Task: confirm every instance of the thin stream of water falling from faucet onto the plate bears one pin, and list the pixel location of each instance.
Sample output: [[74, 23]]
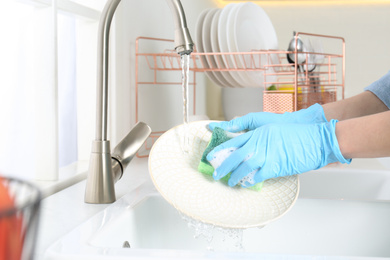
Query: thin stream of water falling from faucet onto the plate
[[185, 64]]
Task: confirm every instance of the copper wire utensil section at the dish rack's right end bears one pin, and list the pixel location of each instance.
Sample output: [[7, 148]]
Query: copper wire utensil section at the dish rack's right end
[[297, 88]]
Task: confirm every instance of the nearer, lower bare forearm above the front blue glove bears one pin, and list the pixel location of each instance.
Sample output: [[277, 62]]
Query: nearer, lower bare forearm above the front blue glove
[[365, 137]]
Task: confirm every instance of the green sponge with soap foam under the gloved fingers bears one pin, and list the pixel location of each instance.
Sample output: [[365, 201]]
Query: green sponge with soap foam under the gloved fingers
[[218, 137]]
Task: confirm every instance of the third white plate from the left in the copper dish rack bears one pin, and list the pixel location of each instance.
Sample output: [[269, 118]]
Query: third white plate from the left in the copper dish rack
[[231, 82]]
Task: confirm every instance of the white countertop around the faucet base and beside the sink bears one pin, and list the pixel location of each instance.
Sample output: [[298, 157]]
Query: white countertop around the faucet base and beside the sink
[[64, 210]]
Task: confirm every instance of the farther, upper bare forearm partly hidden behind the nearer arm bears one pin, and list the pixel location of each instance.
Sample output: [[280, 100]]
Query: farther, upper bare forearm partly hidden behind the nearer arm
[[363, 104]]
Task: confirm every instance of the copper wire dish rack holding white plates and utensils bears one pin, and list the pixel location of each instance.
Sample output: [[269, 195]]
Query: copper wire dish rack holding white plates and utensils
[[294, 87]]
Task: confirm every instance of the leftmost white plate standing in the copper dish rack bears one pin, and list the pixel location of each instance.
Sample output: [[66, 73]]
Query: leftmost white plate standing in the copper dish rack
[[199, 43]]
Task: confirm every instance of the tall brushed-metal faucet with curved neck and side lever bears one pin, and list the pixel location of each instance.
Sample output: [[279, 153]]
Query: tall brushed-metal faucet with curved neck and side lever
[[105, 168]]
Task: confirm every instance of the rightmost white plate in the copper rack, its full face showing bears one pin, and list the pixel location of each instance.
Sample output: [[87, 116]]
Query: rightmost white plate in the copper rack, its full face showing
[[253, 30]]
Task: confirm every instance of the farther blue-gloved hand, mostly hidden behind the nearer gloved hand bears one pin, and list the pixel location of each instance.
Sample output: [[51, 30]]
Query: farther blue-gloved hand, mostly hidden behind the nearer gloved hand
[[251, 121]]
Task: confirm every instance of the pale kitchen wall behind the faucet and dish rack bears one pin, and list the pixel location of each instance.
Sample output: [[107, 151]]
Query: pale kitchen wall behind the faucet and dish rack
[[365, 28]]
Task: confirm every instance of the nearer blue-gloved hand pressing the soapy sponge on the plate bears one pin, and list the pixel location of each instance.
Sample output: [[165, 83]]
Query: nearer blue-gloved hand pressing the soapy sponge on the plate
[[277, 150]]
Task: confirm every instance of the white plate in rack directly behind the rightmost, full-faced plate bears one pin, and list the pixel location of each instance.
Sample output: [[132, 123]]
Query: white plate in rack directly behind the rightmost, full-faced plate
[[223, 42]]
